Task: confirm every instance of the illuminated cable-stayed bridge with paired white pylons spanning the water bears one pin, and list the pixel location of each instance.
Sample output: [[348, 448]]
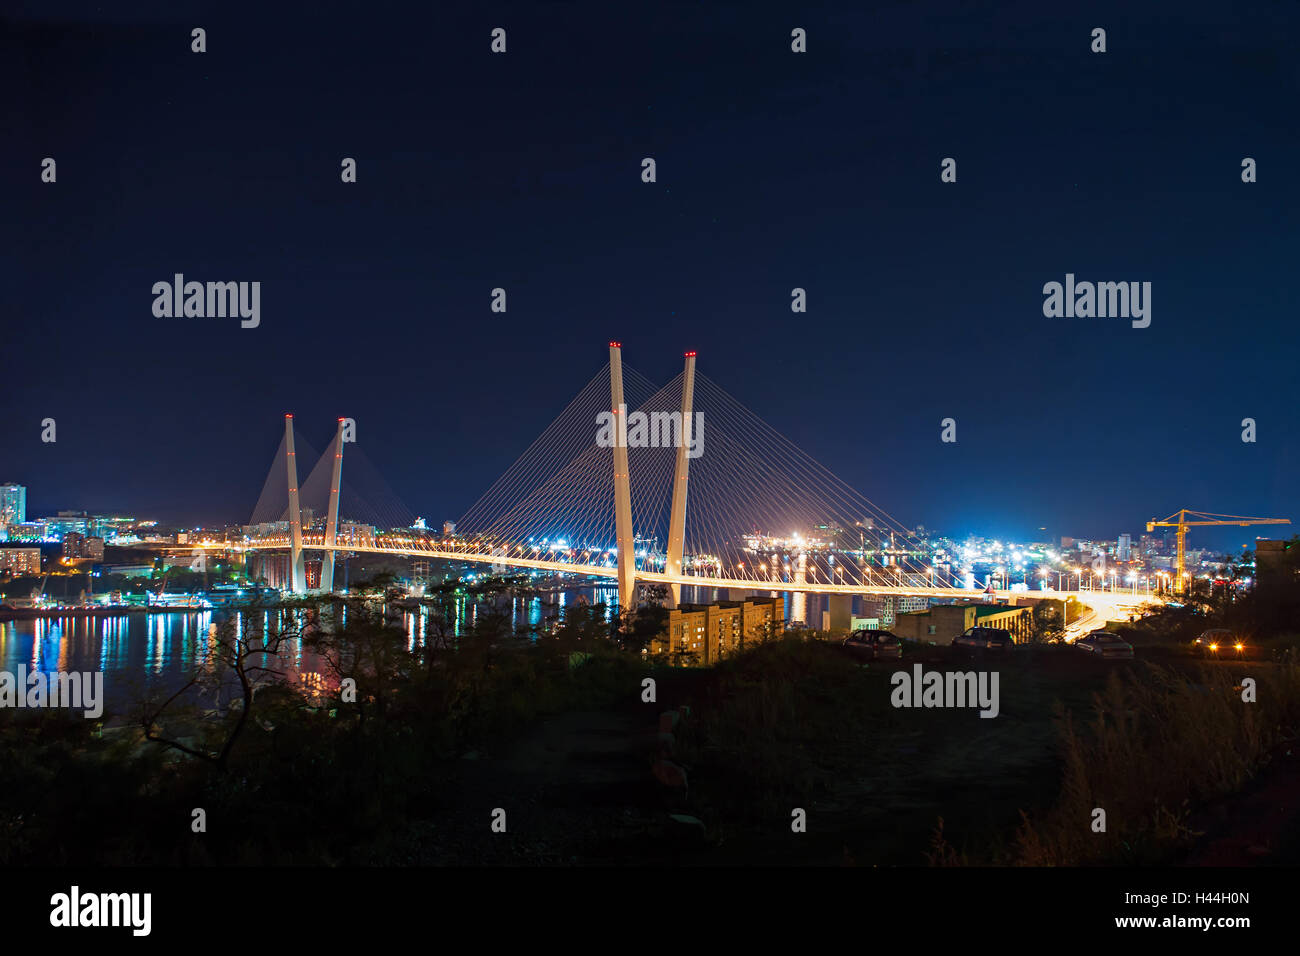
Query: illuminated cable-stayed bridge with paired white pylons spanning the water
[[678, 486]]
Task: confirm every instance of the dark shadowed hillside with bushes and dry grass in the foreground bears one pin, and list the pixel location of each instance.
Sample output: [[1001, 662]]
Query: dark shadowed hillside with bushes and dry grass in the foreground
[[553, 728]]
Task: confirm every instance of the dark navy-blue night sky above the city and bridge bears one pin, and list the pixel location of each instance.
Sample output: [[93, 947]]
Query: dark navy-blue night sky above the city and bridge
[[775, 171]]
